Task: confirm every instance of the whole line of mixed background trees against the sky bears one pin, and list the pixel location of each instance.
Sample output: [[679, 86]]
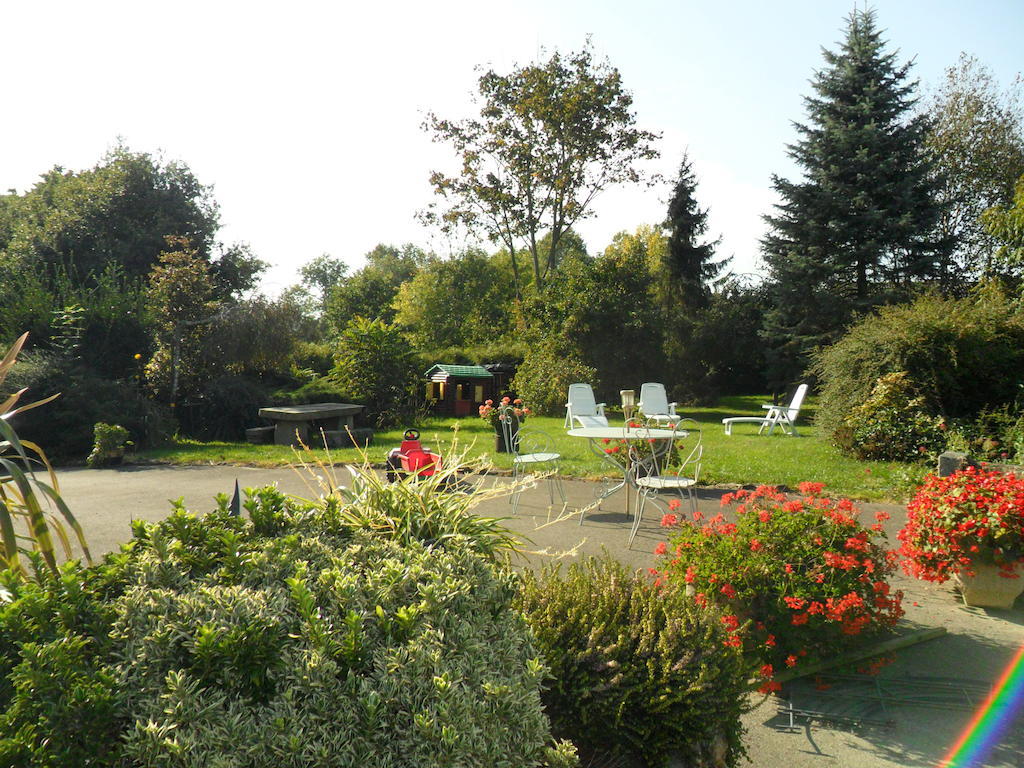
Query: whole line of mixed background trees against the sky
[[118, 274]]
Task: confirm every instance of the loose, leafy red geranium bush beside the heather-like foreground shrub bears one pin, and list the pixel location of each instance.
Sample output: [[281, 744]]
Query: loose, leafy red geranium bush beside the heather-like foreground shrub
[[800, 580]]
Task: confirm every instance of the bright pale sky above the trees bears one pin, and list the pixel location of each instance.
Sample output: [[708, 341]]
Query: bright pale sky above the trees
[[306, 117]]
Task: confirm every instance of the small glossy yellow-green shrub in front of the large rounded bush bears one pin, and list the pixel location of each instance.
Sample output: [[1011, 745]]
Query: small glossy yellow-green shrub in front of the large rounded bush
[[892, 424]]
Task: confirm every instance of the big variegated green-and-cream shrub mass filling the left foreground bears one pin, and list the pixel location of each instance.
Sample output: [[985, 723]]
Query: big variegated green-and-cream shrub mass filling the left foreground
[[292, 639]]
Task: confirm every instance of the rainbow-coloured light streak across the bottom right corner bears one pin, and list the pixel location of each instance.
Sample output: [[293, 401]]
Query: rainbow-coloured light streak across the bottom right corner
[[992, 720]]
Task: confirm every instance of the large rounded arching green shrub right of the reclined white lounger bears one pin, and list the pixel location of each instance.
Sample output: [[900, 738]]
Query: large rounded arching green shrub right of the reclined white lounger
[[961, 355]]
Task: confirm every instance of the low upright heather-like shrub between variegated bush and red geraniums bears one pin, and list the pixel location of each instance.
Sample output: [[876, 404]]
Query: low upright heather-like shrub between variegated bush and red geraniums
[[633, 668]]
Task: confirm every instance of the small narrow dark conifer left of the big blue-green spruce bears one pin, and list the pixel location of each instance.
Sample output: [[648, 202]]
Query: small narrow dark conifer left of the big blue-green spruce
[[690, 265]]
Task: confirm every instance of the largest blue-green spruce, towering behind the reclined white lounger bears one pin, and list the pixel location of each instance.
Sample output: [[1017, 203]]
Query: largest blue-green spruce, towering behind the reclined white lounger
[[856, 232]]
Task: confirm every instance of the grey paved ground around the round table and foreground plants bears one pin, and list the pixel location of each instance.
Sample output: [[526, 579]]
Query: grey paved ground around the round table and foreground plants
[[978, 646]]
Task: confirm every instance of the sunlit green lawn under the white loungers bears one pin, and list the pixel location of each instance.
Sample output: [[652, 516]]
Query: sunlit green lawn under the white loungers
[[744, 458]]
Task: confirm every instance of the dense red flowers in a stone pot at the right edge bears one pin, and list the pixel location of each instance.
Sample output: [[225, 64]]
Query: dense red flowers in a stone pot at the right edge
[[970, 528]]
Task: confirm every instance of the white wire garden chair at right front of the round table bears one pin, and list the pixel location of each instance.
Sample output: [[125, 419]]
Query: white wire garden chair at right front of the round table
[[653, 474]]
